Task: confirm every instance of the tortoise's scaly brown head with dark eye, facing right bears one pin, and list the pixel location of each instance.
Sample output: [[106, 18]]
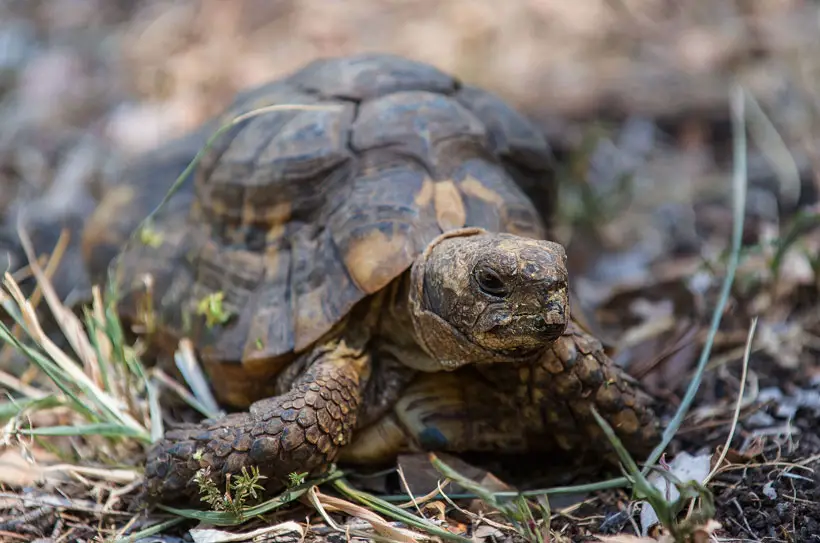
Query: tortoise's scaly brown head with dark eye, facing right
[[479, 297]]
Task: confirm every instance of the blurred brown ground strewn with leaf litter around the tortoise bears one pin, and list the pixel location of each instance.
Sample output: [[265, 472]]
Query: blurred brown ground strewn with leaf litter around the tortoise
[[633, 96]]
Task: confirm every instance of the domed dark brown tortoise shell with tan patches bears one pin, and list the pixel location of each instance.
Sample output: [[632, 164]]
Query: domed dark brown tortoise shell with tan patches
[[294, 216]]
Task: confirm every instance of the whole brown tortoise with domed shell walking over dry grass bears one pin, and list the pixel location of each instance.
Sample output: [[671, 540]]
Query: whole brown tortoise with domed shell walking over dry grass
[[386, 278]]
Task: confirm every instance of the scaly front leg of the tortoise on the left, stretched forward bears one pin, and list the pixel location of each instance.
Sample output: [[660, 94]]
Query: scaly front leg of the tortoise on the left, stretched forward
[[300, 431]]
